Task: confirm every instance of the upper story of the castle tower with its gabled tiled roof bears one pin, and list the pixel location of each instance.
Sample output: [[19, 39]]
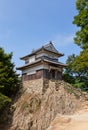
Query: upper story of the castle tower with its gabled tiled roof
[[47, 51]]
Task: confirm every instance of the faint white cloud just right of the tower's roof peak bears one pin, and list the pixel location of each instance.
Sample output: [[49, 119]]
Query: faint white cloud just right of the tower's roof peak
[[62, 40]]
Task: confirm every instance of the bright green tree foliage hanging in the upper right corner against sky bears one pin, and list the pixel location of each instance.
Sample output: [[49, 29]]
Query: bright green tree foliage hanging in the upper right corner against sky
[[81, 20]]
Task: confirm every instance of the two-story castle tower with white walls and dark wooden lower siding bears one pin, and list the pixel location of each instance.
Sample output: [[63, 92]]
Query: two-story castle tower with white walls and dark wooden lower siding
[[42, 63]]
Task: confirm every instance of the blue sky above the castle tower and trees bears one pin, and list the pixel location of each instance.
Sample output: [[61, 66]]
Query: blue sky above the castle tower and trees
[[28, 24]]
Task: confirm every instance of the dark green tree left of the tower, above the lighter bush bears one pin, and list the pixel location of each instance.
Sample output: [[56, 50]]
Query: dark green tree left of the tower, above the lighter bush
[[8, 77]]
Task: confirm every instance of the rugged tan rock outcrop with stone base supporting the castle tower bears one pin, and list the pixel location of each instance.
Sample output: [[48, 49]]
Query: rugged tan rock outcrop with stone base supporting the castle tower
[[38, 106]]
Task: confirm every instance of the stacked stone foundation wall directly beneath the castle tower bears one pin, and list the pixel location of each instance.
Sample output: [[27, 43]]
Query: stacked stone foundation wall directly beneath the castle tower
[[37, 86]]
